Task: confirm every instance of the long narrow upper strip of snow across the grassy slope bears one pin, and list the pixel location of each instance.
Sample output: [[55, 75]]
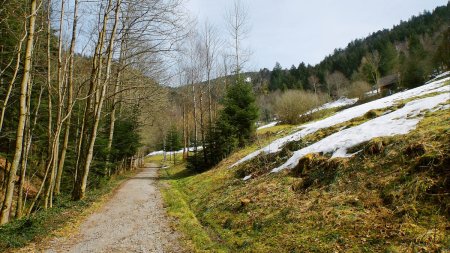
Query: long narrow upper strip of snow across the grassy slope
[[348, 114]]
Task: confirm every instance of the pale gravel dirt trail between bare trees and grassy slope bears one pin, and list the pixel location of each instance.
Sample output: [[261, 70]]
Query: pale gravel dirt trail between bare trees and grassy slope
[[133, 220]]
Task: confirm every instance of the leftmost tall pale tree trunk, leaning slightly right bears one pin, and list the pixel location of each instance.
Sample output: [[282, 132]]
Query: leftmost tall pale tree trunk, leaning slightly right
[[23, 110]]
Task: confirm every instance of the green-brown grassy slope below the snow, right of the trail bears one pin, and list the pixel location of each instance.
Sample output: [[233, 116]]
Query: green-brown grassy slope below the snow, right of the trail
[[391, 197]]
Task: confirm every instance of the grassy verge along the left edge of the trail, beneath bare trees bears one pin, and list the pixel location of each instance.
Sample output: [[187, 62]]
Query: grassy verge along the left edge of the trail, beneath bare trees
[[45, 223]]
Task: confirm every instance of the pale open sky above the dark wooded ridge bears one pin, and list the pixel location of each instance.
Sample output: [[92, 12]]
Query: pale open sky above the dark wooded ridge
[[292, 31]]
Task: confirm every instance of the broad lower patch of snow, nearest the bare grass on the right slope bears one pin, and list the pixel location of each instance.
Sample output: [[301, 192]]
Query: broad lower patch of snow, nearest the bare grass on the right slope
[[400, 121]]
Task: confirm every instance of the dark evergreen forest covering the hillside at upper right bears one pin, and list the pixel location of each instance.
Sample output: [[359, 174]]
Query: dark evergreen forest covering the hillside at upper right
[[415, 50]]
